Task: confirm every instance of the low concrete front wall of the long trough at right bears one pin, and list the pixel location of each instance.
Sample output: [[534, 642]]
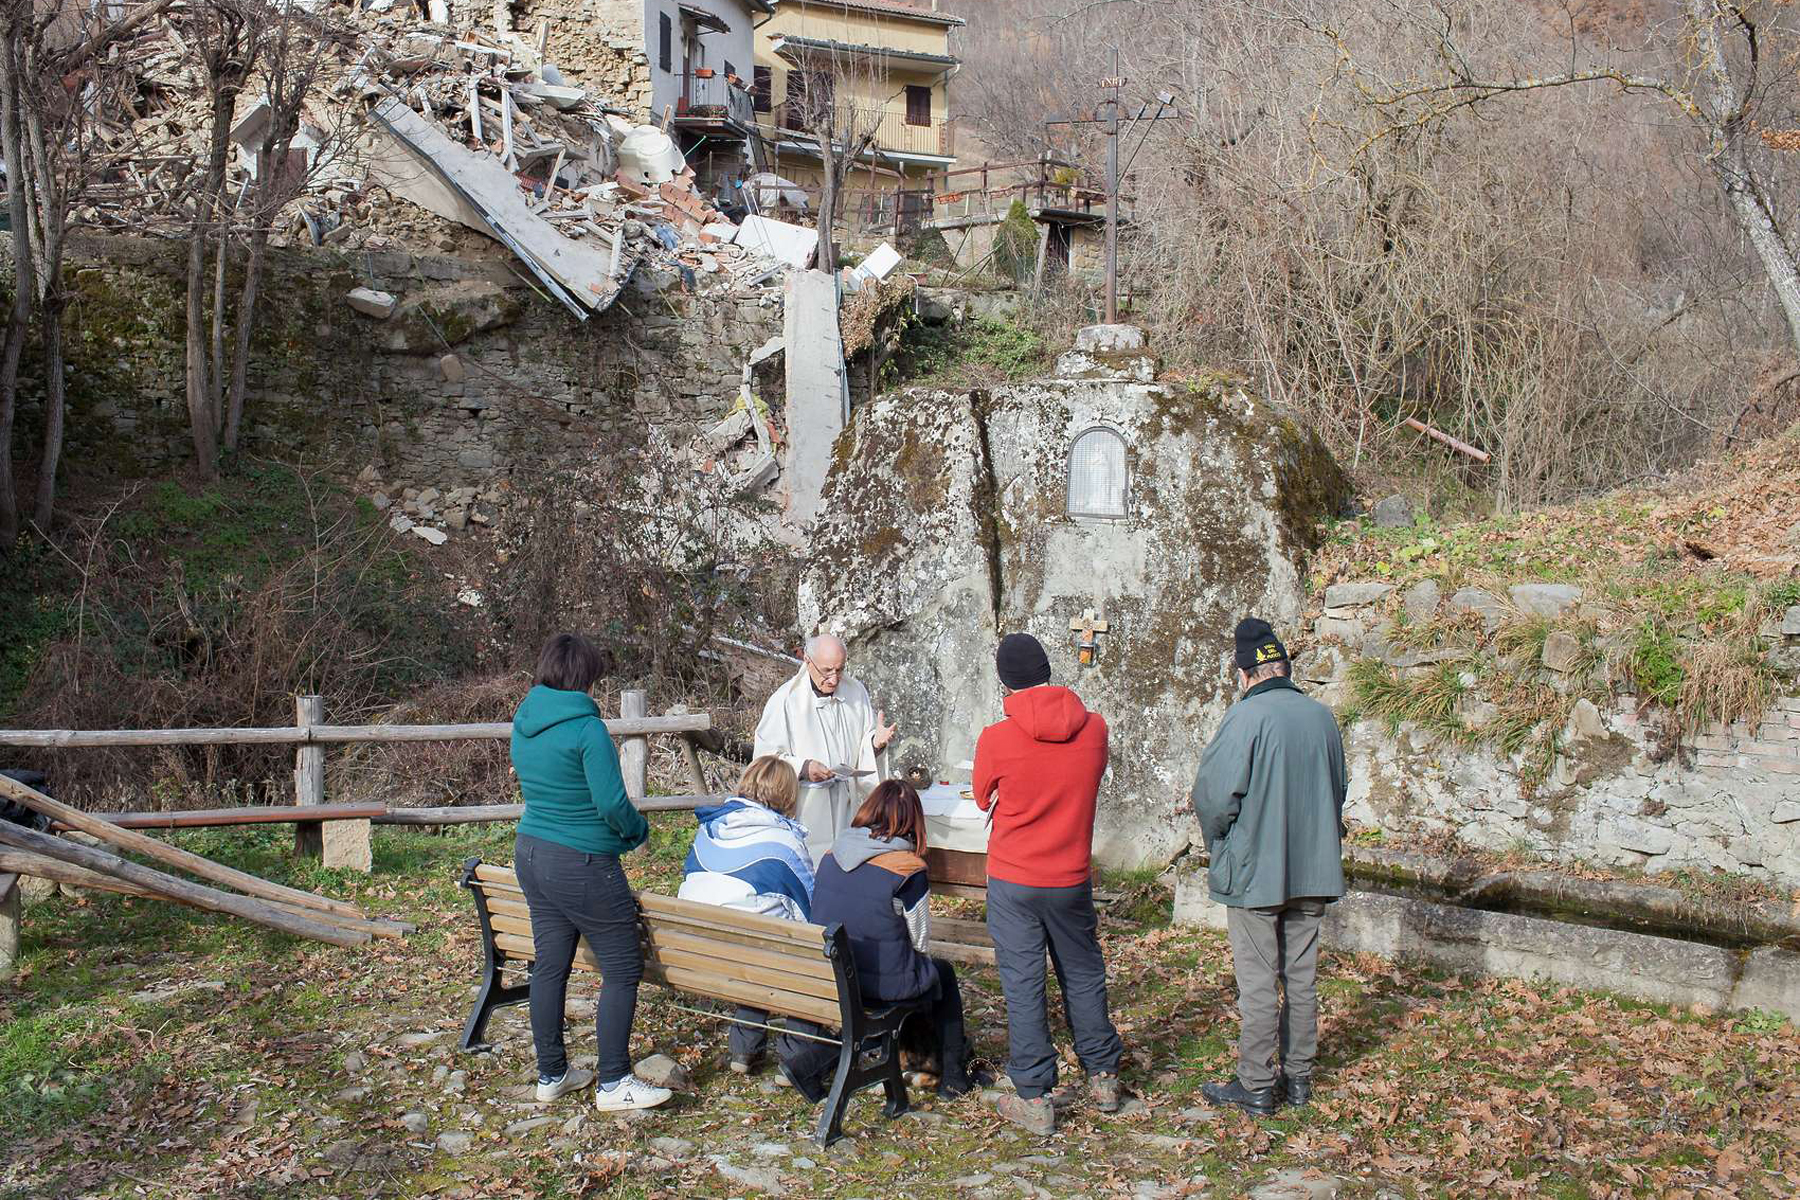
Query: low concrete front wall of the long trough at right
[[1646, 967]]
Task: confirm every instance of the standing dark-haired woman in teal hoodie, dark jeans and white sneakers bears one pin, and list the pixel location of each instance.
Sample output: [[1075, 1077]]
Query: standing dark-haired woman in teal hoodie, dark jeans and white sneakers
[[577, 825]]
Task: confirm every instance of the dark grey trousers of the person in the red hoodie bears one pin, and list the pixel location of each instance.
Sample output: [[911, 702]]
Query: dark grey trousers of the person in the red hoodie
[[1025, 922]]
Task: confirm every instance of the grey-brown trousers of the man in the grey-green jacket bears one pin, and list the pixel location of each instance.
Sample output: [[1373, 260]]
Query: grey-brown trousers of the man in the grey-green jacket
[[1277, 947]]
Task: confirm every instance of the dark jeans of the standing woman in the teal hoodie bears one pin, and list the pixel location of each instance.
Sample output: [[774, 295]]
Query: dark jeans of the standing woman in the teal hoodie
[[577, 895]]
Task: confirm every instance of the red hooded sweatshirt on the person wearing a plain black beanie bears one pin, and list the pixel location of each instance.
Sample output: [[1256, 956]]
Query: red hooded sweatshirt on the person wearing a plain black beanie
[[1041, 773]]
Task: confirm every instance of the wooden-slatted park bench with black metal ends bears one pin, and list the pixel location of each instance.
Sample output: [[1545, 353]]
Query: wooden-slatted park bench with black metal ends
[[782, 967]]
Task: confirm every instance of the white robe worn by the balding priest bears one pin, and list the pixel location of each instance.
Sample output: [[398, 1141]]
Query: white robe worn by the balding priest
[[836, 731]]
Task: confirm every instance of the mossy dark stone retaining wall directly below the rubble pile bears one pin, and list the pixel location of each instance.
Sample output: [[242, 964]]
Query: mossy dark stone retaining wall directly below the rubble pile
[[474, 381]]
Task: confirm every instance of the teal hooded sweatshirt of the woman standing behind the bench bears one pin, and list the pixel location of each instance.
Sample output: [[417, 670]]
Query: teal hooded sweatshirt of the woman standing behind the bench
[[570, 776]]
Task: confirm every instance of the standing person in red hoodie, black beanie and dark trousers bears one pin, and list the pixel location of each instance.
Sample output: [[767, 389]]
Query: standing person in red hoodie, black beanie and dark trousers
[[1038, 775]]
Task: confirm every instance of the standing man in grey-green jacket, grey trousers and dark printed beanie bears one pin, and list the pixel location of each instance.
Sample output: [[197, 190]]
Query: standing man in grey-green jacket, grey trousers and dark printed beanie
[[1270, 796]]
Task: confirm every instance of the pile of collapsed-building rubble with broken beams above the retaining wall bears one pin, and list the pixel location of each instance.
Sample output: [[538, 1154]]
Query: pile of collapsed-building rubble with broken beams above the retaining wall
[[476, 129]]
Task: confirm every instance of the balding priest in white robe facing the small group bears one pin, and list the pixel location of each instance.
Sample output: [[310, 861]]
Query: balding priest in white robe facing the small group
[[822, 722]]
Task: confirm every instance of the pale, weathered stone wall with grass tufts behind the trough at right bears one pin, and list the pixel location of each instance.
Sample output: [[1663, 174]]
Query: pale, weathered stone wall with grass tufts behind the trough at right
[[1617, 794]]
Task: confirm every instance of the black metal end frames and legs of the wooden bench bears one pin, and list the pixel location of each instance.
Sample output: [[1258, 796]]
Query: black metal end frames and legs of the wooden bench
[[861, 1028]]
